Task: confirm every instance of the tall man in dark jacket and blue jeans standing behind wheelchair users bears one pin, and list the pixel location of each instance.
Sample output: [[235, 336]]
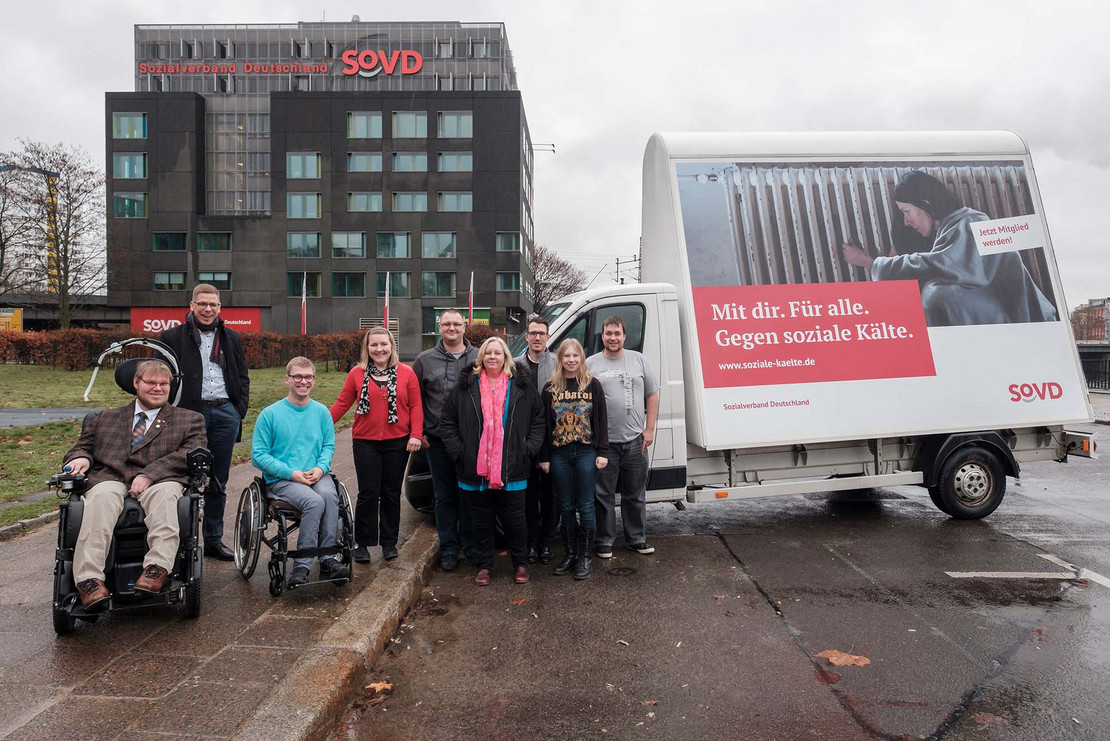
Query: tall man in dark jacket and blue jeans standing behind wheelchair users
[[215, 383]]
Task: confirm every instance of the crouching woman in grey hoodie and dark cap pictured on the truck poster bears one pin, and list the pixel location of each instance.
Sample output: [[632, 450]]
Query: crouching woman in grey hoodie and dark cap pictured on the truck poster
[[960, 287]]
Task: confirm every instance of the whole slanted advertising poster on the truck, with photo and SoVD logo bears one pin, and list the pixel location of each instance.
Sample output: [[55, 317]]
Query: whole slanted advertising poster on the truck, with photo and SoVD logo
[[835, 300]]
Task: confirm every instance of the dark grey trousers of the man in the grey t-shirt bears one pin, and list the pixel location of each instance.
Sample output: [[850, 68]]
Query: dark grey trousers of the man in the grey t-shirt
[[627, 473]]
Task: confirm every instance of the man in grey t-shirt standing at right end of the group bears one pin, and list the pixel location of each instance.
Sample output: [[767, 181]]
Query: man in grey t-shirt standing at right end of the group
[[632, 404]]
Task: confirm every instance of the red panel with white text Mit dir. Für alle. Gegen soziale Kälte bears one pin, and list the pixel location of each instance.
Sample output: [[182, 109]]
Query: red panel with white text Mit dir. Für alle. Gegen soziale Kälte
[[806, 333]]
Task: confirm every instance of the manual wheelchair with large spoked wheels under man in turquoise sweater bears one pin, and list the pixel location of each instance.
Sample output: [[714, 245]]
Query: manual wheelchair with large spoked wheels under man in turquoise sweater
[[257, 513]]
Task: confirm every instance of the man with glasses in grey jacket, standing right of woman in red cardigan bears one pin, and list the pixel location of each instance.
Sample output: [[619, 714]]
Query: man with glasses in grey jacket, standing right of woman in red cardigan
[[438, 372]]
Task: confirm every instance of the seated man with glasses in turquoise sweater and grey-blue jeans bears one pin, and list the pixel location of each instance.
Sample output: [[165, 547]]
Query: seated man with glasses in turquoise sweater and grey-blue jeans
[[294, 443]]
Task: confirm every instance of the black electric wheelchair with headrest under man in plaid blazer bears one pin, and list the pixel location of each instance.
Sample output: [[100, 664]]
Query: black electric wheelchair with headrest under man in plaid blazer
[[125, 562]]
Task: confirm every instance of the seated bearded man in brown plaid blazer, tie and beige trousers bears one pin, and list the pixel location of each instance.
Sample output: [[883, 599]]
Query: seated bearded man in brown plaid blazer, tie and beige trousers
[[138, 450]]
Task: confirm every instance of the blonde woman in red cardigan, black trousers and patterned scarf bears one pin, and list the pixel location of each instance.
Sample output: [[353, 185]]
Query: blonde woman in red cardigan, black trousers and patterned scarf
[[389, 424]]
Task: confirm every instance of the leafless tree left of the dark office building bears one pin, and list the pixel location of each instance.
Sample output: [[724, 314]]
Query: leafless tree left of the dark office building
[[64, 224]]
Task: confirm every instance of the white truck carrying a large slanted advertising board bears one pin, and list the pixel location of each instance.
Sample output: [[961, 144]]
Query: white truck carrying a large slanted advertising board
[[941, 354]]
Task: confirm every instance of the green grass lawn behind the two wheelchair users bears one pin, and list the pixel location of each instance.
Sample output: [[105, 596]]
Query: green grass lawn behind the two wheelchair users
[[32, 455]]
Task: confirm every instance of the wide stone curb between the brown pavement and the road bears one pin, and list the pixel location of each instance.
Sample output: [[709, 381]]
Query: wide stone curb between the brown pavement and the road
[[309, 701]]
